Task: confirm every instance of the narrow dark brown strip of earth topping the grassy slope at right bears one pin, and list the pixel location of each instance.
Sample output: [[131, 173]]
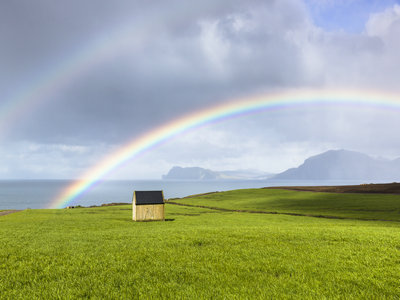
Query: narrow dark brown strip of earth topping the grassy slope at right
[[384, 188]]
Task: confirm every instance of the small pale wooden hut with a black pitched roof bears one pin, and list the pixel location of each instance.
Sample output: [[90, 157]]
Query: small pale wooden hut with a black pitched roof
[[148, 206]]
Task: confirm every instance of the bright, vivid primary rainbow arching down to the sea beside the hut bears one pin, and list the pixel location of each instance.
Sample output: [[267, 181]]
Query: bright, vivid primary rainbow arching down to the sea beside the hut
[[270, 101]]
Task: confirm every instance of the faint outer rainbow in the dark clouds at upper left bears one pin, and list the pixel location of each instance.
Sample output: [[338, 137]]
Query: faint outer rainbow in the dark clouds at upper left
[[60, 74]]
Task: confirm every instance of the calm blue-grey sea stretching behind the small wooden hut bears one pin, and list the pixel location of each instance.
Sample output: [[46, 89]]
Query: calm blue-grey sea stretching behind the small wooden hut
[[37, 194]]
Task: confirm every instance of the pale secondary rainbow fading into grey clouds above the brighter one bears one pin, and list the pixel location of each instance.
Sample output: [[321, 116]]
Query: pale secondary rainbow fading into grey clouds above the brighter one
[[126, 37]]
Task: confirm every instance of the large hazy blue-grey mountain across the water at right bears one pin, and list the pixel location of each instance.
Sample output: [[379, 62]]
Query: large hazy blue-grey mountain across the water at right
[[344, 165]]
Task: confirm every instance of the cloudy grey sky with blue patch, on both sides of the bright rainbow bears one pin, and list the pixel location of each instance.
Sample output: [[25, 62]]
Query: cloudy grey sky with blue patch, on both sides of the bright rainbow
[[81, 79]]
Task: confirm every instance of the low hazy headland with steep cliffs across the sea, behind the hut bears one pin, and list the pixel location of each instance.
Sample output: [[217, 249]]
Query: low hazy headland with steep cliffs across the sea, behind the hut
[[196, 173]]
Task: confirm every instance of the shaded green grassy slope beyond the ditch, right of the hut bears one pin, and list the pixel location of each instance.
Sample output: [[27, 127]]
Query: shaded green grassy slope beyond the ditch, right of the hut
[[363, 206]]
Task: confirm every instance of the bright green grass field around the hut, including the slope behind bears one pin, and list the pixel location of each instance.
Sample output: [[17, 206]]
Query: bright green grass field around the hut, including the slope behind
[[204, 253]]
